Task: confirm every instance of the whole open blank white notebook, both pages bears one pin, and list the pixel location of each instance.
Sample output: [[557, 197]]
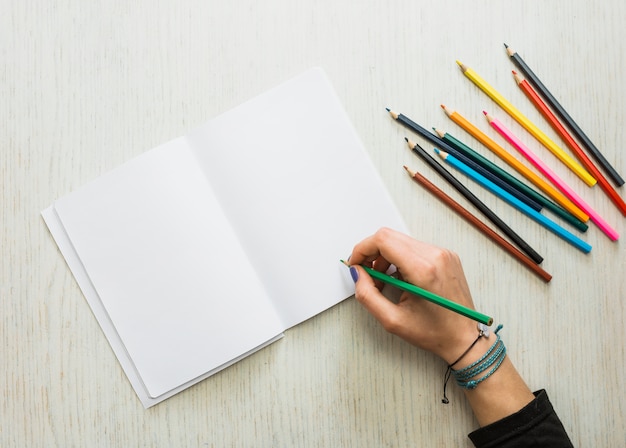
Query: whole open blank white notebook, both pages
[[206, 248]]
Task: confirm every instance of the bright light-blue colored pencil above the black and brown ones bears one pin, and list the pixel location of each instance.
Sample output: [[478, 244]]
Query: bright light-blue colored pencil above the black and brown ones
[[512, 200]]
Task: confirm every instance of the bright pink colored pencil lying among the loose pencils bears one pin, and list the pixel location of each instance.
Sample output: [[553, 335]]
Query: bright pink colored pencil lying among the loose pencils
[[552, 176]]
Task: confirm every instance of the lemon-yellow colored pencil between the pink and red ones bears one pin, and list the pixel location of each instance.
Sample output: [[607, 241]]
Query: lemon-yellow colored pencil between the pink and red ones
[[528, 125]]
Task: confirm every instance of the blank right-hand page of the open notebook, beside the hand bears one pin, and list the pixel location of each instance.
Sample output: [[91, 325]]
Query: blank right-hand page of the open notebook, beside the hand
[[299, 189]]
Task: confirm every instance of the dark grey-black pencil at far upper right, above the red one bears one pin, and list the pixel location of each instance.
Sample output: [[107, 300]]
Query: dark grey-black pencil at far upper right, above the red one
[[561, 112]]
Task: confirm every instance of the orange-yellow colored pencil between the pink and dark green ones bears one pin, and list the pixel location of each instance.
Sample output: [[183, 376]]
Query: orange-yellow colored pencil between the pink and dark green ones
[[546, 187]]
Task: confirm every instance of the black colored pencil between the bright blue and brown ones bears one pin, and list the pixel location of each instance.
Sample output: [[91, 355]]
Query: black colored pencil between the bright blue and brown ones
[[495, 219]]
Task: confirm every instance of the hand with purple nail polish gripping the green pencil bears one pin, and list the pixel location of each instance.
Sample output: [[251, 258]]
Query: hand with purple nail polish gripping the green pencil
[[422, 323]]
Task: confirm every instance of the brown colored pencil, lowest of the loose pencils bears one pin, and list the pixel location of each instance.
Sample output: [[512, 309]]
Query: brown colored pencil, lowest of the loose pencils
[[478, 224]]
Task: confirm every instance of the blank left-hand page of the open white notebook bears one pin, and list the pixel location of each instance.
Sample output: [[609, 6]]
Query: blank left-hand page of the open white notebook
[[159, 263]]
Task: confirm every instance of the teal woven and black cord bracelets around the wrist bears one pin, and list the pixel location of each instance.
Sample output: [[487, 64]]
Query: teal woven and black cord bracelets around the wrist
[[489, 363]]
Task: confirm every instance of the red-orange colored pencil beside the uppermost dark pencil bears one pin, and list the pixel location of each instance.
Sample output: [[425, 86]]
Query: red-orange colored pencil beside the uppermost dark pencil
[[569, 140]]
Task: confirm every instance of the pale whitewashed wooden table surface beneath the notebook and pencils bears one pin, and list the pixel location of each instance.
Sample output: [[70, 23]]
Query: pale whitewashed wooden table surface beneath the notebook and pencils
[[85, 86]]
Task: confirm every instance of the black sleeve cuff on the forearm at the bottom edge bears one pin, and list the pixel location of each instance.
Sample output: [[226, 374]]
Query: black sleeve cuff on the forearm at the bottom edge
[[536, 425]]
